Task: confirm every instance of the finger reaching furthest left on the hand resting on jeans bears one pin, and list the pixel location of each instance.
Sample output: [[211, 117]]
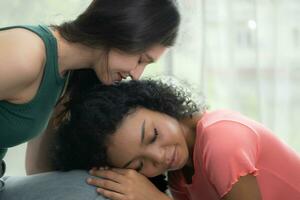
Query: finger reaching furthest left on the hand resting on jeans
[[106, 184]]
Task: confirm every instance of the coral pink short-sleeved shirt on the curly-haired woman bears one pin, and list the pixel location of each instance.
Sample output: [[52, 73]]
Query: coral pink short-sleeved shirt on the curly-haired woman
[[229, 145]]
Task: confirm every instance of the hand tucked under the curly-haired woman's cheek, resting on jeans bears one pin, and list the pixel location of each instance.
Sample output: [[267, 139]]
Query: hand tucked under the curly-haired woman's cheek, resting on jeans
[[124, 184]]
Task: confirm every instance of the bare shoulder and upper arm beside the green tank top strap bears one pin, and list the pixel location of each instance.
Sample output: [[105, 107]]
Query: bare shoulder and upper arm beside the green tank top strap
[[22, 55]]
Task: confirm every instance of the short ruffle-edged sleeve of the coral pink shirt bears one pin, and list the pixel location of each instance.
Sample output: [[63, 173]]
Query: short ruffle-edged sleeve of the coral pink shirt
[[230, 150]]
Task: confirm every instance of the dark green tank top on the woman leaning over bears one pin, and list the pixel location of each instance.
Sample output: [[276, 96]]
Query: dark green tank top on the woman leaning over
[[21, 122]]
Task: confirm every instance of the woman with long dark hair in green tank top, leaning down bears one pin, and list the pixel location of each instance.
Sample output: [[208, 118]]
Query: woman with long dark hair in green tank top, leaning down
[[44, 67]]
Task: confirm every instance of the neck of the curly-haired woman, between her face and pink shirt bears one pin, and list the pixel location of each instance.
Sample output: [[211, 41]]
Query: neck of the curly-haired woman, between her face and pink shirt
[[189, 126]]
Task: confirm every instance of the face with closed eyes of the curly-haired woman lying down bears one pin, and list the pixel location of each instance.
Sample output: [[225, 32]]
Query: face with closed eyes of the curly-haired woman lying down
[[150, 142]]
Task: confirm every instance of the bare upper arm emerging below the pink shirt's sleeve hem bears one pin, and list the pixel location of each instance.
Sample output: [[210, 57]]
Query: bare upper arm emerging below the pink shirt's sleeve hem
[[245, 189]]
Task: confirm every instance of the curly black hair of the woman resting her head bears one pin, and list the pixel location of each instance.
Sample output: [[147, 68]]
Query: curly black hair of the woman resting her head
[[98, 112]]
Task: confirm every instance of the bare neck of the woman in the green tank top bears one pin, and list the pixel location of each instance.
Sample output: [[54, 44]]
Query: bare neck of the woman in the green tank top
[[73, 56]]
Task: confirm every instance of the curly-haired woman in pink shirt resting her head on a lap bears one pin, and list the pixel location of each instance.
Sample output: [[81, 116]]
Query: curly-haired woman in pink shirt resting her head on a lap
[[145, 128]]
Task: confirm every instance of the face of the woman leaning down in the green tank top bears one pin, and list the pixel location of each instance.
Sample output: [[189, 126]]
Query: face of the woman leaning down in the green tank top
[[120, 64]]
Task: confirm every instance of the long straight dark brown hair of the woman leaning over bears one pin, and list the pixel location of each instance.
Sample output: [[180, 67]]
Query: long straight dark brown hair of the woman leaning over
[[131, 26]]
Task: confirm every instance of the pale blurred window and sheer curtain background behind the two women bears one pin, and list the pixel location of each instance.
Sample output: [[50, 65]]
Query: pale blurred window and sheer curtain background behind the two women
[[242, 55]]
